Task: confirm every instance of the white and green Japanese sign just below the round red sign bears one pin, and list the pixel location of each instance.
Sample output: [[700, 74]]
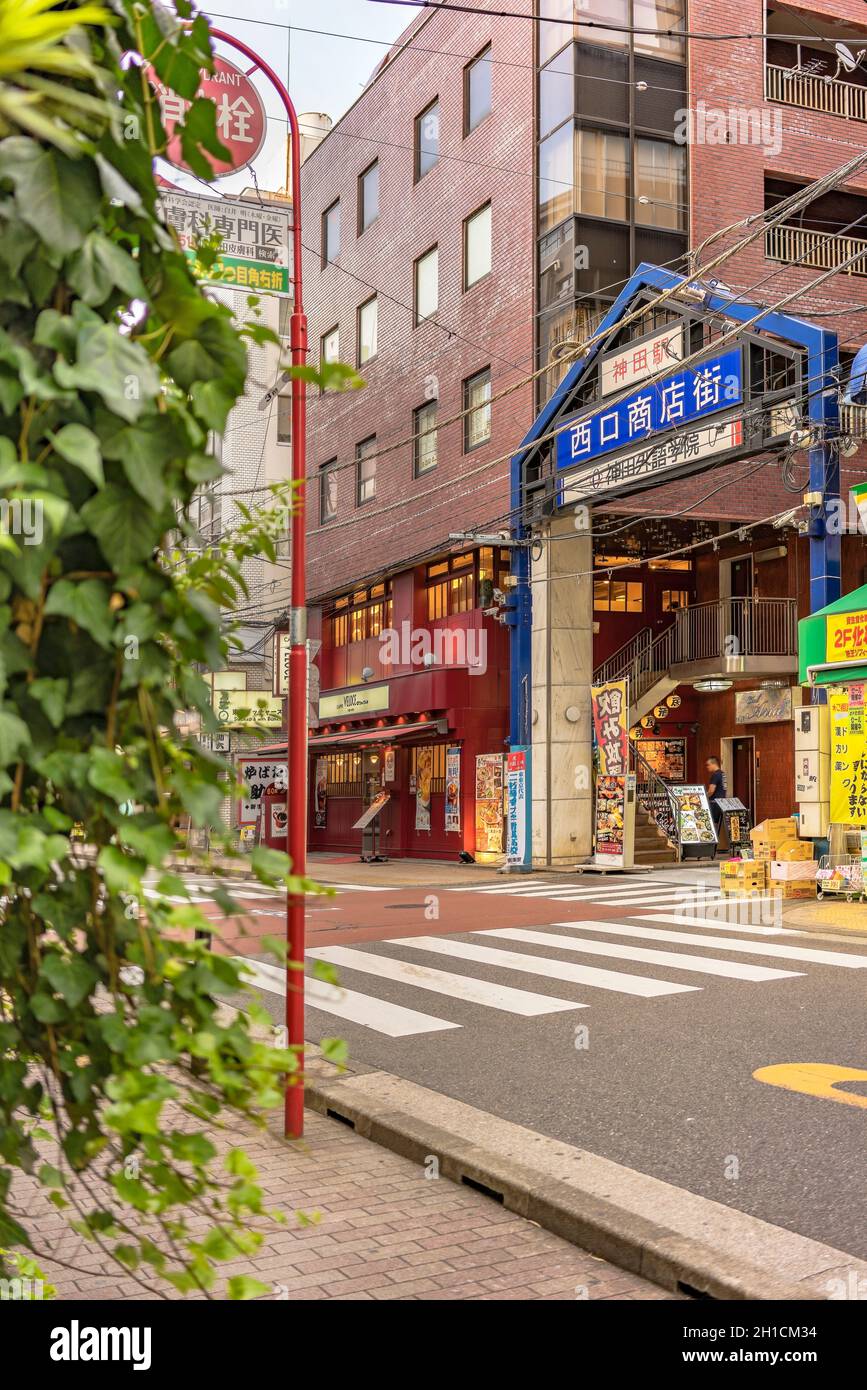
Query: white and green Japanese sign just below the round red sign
[[255, 240]]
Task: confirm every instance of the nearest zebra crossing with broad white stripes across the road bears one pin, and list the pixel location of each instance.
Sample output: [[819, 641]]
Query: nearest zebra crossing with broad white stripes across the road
[[538, 972]]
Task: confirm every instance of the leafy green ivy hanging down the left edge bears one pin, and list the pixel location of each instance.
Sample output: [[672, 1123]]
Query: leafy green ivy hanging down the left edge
[[115, 372]]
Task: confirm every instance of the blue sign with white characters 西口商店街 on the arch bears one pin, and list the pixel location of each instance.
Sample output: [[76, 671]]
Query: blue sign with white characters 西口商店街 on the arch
[[713, 384]]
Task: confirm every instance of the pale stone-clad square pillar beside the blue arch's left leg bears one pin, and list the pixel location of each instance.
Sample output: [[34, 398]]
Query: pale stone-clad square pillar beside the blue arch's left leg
[[562, 673]]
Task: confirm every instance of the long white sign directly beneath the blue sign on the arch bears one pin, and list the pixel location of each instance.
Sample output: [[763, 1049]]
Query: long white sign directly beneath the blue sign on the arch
[[643, 469]]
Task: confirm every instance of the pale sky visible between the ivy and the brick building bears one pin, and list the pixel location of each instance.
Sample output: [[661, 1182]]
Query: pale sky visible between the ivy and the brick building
[[324, 73]]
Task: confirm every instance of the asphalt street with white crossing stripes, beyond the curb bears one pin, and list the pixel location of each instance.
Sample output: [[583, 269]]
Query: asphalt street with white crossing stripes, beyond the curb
[[655, 1071]]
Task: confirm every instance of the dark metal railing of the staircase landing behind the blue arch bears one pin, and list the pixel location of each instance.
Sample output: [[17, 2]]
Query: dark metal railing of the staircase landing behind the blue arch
[[720, 629]]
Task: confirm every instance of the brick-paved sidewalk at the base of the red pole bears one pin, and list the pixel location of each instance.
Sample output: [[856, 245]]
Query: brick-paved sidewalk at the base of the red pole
[[386, 1232]]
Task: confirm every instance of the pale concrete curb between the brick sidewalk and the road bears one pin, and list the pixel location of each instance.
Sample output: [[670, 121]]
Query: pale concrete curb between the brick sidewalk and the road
[[547, 1189]]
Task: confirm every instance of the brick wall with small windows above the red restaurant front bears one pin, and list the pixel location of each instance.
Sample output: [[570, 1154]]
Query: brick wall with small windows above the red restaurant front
[[487, 326]]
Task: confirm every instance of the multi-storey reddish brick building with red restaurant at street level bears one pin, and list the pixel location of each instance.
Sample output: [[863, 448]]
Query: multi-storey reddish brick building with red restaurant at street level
[[479, 208]]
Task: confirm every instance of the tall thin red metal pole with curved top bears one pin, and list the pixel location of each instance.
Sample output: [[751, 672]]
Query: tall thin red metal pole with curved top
[[297, 723]]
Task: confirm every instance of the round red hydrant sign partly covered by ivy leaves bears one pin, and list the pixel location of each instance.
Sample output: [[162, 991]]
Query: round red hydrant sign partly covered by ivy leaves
[[241, 117]]
